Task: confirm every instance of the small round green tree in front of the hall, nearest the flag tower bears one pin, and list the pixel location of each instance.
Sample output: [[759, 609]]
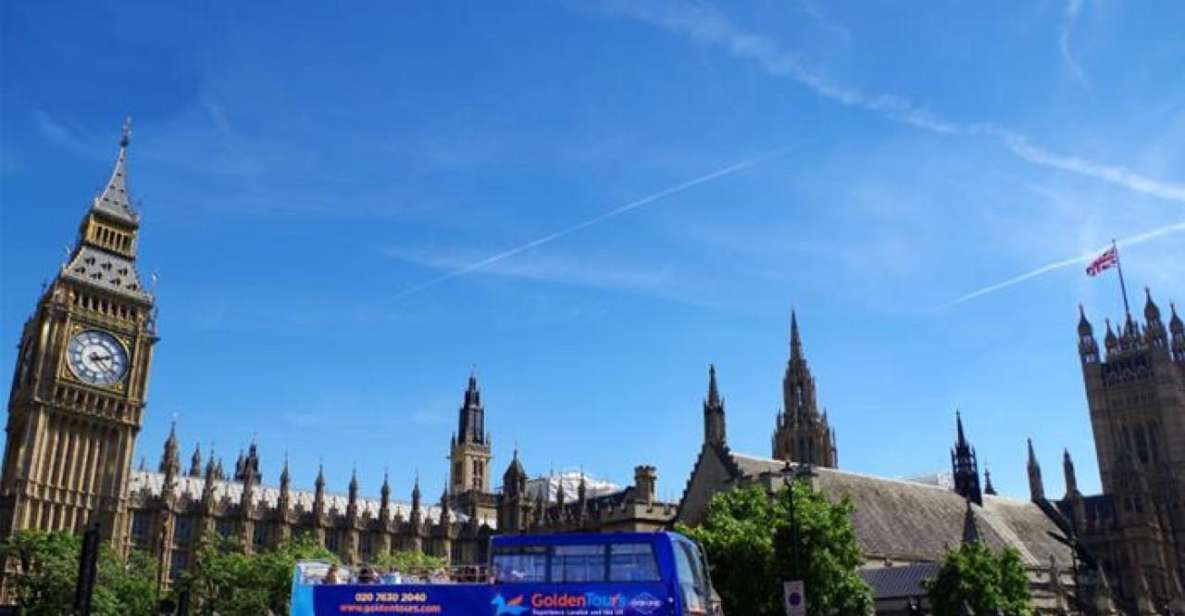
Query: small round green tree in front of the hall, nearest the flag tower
[[984, 582]]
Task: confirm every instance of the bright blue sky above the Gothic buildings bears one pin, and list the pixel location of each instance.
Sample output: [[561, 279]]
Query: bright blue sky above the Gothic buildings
[[308, 174]]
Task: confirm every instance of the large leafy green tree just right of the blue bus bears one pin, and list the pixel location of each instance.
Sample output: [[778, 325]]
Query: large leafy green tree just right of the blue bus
[[751, 540]]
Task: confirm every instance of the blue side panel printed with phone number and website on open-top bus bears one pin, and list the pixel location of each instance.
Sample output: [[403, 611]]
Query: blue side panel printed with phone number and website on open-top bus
[[441, 600]]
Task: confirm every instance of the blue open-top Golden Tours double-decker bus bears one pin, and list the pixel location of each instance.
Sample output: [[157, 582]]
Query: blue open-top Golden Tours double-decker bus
[[558, 575]]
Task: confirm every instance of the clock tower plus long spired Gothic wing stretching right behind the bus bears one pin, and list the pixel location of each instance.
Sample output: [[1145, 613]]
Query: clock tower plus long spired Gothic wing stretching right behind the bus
[[78, 403]]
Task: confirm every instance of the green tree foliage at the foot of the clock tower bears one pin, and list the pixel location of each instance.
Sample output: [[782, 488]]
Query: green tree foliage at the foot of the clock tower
[[47, 574]]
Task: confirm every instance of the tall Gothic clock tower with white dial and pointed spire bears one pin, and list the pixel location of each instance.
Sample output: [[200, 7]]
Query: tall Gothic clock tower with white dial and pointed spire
[[81, 381]]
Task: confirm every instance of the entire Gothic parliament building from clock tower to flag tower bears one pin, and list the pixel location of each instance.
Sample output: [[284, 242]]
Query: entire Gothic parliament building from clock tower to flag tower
[[80, 395]]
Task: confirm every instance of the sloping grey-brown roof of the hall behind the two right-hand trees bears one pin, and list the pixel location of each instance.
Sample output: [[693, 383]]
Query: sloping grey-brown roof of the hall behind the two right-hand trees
[[907, 521]]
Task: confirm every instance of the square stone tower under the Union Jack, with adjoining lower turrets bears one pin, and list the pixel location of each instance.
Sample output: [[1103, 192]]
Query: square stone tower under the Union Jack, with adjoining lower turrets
[[1136, 393]]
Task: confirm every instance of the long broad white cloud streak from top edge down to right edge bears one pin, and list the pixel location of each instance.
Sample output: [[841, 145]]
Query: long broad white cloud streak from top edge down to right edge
[[706, 25]]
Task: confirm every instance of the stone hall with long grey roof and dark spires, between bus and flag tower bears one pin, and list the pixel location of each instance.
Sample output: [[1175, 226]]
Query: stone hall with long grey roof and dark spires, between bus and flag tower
[[904, 528]]
